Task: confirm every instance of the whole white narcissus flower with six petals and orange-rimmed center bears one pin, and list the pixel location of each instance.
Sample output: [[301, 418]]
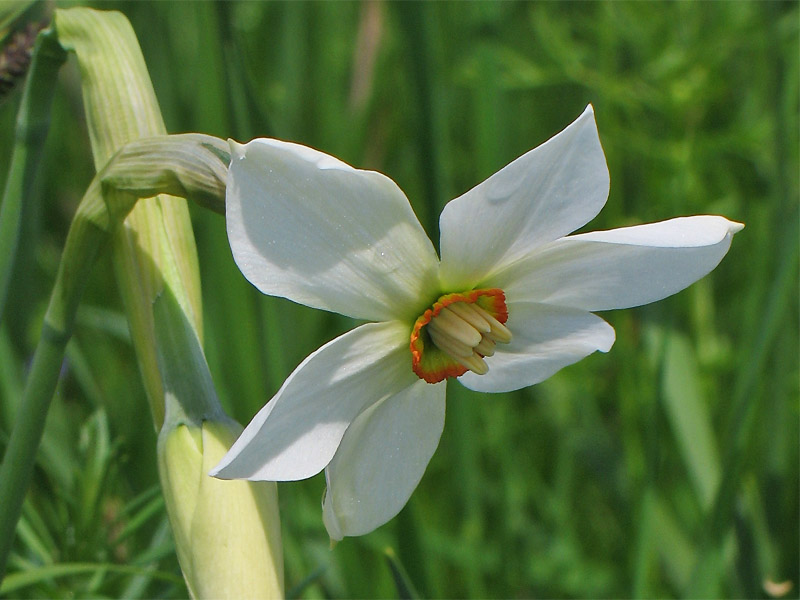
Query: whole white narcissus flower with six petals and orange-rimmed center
[[509, 303]]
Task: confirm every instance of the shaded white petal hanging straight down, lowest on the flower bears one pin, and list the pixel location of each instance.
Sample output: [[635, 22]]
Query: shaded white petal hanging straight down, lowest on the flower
[[382, 458]]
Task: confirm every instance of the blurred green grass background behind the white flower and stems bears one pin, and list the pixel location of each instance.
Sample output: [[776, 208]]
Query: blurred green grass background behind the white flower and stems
[[666, 468]]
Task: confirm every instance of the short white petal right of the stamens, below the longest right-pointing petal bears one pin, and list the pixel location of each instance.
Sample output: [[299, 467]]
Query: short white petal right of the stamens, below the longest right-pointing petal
[[546, 339]]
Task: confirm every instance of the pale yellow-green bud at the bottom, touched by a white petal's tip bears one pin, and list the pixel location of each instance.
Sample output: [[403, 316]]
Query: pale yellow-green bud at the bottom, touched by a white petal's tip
[[227, 533]]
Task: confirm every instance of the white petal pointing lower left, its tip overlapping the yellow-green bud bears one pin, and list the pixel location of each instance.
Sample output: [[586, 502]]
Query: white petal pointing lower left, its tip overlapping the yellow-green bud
[[296, 434]]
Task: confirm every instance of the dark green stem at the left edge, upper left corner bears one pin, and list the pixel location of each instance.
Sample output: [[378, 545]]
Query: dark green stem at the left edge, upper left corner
[[33, 122]]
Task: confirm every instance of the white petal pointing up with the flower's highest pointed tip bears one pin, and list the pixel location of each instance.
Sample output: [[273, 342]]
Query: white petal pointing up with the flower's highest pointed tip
[[545, 194]]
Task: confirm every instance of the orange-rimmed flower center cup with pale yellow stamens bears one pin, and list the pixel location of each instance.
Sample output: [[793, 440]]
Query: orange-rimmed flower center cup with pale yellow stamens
[[457, 333]]
